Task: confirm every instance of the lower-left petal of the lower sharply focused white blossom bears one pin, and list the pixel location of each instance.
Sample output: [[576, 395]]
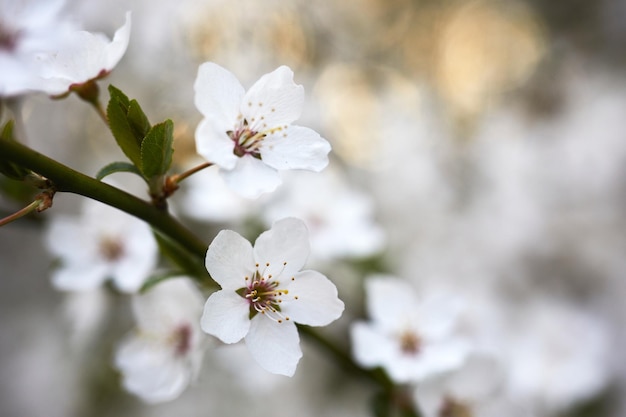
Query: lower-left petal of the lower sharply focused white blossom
[[226, 316]]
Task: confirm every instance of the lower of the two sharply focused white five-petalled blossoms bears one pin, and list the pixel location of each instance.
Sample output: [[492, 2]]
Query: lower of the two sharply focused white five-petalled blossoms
[[264, 294]]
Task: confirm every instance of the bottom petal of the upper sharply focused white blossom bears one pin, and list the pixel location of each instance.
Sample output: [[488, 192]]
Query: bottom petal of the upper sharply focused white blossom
[[251, 177]]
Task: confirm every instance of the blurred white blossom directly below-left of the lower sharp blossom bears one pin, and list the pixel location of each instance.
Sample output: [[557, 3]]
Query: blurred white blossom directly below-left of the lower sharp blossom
[[164, 354]]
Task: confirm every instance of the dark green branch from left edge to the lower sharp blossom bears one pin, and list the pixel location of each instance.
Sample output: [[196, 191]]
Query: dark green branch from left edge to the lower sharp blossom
[[66, 179]]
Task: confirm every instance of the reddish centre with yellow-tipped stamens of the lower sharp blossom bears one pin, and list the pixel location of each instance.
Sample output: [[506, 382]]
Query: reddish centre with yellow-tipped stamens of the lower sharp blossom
[[264, 296]]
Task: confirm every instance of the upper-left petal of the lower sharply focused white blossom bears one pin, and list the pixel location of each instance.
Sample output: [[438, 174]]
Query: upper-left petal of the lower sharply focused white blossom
[[229, 259]]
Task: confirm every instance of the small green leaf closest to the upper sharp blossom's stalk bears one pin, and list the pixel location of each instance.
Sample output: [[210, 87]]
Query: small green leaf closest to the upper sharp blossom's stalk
[[157, 149]]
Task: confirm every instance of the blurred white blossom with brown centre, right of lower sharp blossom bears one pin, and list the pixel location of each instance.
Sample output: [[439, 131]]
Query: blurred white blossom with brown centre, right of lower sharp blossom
[[411, 338]]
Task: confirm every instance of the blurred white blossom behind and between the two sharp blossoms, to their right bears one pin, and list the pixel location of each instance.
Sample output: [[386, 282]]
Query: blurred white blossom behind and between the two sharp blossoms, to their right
[[339, 218]]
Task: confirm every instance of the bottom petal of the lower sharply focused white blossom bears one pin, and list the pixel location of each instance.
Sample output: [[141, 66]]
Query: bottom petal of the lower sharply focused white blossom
[[275, 346]]
